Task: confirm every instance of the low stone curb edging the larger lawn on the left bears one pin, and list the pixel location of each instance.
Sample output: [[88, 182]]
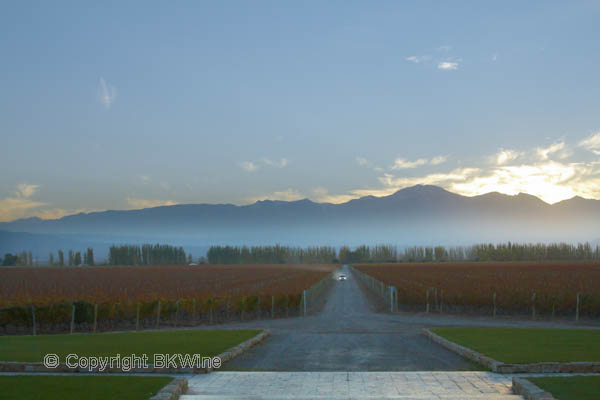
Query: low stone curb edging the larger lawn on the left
[[15, 366]]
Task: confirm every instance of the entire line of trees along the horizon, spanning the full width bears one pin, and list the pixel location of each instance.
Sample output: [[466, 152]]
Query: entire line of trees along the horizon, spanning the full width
[[159, 254]]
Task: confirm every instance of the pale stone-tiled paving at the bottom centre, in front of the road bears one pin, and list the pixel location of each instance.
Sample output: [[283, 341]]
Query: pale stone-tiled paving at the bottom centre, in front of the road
[[351, 385]]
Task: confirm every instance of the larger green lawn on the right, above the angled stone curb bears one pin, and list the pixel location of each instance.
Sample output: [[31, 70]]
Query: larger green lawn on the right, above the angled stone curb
[[524, 345]]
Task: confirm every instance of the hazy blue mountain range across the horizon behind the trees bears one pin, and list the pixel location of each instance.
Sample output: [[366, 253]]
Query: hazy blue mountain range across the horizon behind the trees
[[418, 215]]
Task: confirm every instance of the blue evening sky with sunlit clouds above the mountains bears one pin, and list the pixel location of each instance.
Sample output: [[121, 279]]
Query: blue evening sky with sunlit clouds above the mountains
[[126, 105]]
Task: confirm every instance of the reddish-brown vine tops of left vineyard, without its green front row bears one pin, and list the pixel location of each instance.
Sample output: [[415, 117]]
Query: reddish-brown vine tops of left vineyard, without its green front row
[[26, 285]]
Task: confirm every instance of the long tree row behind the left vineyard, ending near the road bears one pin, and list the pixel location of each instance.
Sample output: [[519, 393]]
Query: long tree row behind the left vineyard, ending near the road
[[271, 255]]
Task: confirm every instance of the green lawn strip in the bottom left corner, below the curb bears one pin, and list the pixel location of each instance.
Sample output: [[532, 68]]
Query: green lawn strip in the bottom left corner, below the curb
[[30, 387]]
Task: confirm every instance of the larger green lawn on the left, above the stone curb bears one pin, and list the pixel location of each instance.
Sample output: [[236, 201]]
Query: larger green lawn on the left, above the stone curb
[[204, 342]]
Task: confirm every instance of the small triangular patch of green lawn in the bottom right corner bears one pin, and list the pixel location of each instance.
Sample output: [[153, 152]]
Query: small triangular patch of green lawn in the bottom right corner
[[571, 388]]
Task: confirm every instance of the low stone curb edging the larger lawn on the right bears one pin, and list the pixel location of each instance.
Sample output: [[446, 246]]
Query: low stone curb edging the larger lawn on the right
[[506, 368]]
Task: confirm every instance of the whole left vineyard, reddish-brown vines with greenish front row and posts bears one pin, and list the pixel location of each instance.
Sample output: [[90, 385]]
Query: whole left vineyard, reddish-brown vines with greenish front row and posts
[[106, 298]]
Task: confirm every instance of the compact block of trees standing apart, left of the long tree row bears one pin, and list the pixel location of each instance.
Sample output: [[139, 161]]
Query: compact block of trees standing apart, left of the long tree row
[[146, 254]]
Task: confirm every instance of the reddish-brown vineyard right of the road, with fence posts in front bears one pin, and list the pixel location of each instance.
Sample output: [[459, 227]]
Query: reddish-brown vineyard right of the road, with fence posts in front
[[568, 289]]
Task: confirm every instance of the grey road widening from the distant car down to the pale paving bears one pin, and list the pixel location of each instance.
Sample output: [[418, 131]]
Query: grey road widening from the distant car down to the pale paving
[[346, 336]]
